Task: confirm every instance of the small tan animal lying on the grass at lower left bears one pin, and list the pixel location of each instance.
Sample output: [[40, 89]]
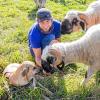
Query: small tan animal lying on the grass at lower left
[[20, 74]]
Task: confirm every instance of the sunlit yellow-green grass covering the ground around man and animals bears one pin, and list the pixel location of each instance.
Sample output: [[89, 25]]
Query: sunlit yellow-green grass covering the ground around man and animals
[[16, 17]]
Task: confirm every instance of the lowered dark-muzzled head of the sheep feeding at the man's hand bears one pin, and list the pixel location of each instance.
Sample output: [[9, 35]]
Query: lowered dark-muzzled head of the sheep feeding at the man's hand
[[51, 58]]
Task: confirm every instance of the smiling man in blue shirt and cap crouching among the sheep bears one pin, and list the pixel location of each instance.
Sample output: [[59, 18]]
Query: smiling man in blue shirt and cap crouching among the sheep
[[46, 30]]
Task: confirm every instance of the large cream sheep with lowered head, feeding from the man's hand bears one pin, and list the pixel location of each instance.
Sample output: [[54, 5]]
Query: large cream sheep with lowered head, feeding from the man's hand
[[85, 50]]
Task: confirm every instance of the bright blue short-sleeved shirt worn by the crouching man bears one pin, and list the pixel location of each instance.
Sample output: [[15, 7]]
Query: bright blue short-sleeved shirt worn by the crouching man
[[36, 35]]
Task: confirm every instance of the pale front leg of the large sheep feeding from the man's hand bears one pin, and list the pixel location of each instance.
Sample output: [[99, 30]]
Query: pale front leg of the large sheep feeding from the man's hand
[[88, 75]]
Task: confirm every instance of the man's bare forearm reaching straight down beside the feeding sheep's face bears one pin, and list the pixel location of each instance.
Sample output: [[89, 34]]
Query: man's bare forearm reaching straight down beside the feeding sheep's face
[[37, 53]]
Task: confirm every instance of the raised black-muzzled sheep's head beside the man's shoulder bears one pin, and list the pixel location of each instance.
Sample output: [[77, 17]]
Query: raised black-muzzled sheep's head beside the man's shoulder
[[72, 22]]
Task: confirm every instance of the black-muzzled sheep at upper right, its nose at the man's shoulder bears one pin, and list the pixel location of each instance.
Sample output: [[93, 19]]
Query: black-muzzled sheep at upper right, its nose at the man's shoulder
[[76, 20]]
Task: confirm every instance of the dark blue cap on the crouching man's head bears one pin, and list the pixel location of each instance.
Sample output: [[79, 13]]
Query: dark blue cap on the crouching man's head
[[43, 14]]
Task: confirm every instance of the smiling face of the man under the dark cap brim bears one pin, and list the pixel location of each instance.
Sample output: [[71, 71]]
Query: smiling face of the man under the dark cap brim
[[45, 25]]
